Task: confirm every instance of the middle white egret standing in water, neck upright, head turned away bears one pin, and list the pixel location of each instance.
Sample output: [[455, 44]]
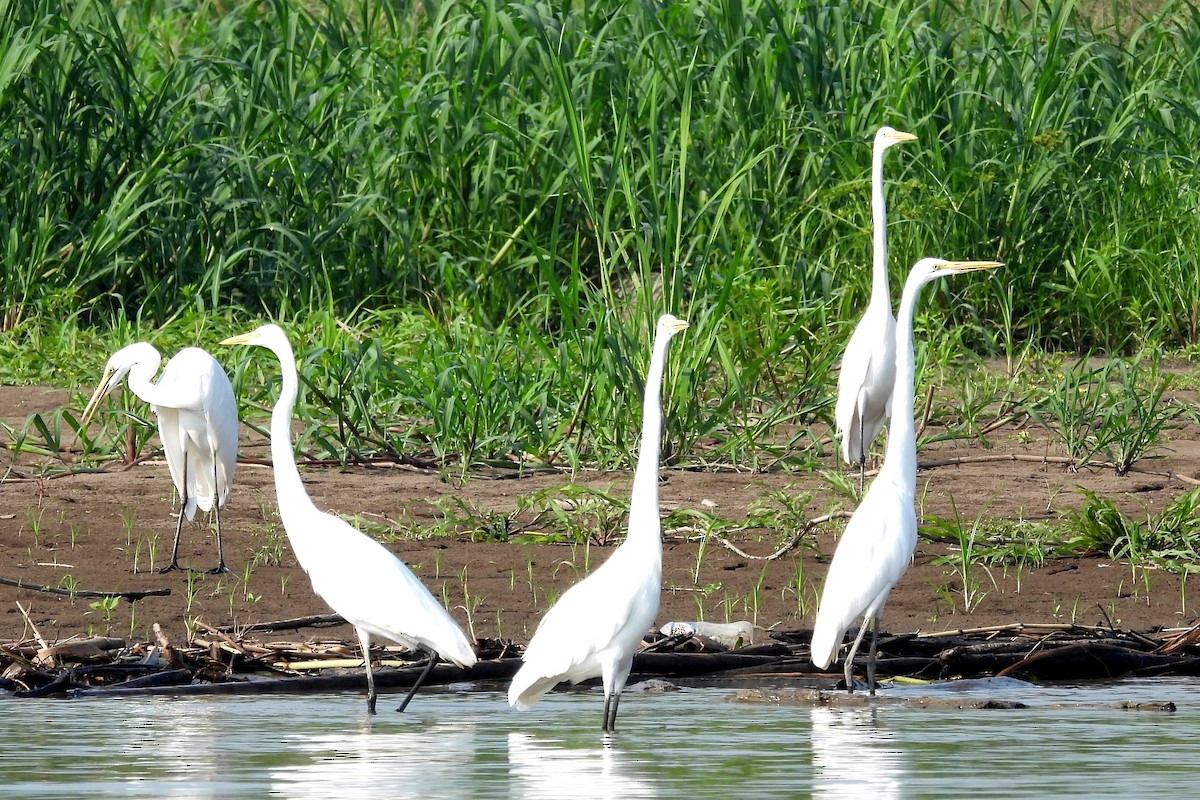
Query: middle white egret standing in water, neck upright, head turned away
[[597, 625]]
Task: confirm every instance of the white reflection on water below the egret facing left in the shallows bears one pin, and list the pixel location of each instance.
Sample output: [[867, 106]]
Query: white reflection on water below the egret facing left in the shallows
[[364, 757]]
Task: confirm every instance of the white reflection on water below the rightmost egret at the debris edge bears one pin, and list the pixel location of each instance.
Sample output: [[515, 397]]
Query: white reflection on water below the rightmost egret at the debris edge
[[854, 756]]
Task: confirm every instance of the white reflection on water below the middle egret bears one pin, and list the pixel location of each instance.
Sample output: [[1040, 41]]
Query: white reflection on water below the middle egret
[[544, 768]]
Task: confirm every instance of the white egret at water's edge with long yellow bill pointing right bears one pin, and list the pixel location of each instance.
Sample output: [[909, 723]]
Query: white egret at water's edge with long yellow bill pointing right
[[879, 542]]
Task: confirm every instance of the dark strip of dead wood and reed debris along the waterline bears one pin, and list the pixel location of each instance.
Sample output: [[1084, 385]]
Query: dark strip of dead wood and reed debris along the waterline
[[227, 663]]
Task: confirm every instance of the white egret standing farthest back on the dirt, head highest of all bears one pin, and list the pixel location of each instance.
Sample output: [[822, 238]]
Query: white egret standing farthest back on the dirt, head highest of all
[[868, 368]]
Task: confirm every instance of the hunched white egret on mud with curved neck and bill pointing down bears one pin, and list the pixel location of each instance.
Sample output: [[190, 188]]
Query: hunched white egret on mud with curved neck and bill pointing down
[[197, 423]]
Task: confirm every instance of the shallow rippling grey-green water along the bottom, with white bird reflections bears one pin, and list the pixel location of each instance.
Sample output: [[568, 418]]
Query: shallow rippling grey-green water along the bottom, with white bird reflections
[[1071, 743]]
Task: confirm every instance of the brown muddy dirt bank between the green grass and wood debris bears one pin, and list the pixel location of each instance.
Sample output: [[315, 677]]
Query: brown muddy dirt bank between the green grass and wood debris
[[91, 530]]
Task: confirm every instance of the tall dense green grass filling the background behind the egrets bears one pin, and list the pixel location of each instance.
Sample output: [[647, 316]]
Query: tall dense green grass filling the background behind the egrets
[[470, 214]]
